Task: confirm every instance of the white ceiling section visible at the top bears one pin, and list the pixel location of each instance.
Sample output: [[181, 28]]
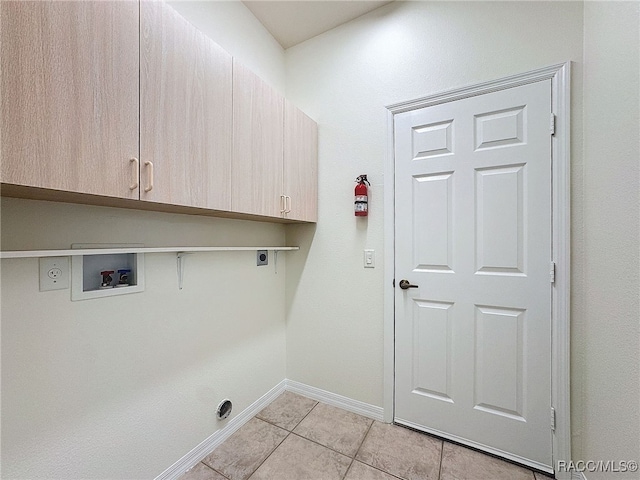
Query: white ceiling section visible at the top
[[294, 21]]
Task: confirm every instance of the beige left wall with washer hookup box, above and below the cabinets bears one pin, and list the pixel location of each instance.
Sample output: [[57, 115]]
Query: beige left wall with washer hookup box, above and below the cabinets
[[123, 387]]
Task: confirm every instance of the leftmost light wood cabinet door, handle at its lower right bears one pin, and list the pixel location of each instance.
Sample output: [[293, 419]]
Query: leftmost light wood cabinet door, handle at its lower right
[[70, 96]]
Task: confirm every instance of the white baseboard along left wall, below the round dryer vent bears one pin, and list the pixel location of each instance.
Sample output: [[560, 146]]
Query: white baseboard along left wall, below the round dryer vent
[[208, 444]]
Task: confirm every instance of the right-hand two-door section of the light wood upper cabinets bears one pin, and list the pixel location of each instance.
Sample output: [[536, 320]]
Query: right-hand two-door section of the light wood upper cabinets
[[275, 152]]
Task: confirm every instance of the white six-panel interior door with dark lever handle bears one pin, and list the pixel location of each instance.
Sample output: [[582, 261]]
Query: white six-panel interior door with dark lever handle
[[473, 235]]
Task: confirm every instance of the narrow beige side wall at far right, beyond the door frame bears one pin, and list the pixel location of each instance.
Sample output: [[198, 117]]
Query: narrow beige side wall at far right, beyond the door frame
[[607, 322]]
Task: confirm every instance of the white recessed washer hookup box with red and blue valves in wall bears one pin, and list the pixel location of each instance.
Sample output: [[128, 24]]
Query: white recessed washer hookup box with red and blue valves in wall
[[97, 276]]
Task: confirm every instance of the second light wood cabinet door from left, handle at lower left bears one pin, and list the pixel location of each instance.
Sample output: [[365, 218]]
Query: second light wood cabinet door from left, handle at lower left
[[185, 117]]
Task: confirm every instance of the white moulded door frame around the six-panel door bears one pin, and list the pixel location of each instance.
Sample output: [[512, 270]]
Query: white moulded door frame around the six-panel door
[[560, 151]]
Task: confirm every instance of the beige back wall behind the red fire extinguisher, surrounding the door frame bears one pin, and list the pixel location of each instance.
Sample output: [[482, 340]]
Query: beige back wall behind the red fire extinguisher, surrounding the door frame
[[343, 79]]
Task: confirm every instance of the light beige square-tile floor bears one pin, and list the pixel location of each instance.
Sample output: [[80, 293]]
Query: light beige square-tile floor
[[296, 438]]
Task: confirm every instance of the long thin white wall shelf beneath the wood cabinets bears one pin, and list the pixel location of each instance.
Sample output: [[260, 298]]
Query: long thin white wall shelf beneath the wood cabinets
[[109, 251]]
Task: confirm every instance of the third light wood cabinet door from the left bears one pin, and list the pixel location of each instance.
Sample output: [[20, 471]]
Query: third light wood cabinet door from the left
[[258, 127]]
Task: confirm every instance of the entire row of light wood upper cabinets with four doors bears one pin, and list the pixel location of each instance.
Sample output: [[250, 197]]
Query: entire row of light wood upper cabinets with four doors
[[128, 102]]
